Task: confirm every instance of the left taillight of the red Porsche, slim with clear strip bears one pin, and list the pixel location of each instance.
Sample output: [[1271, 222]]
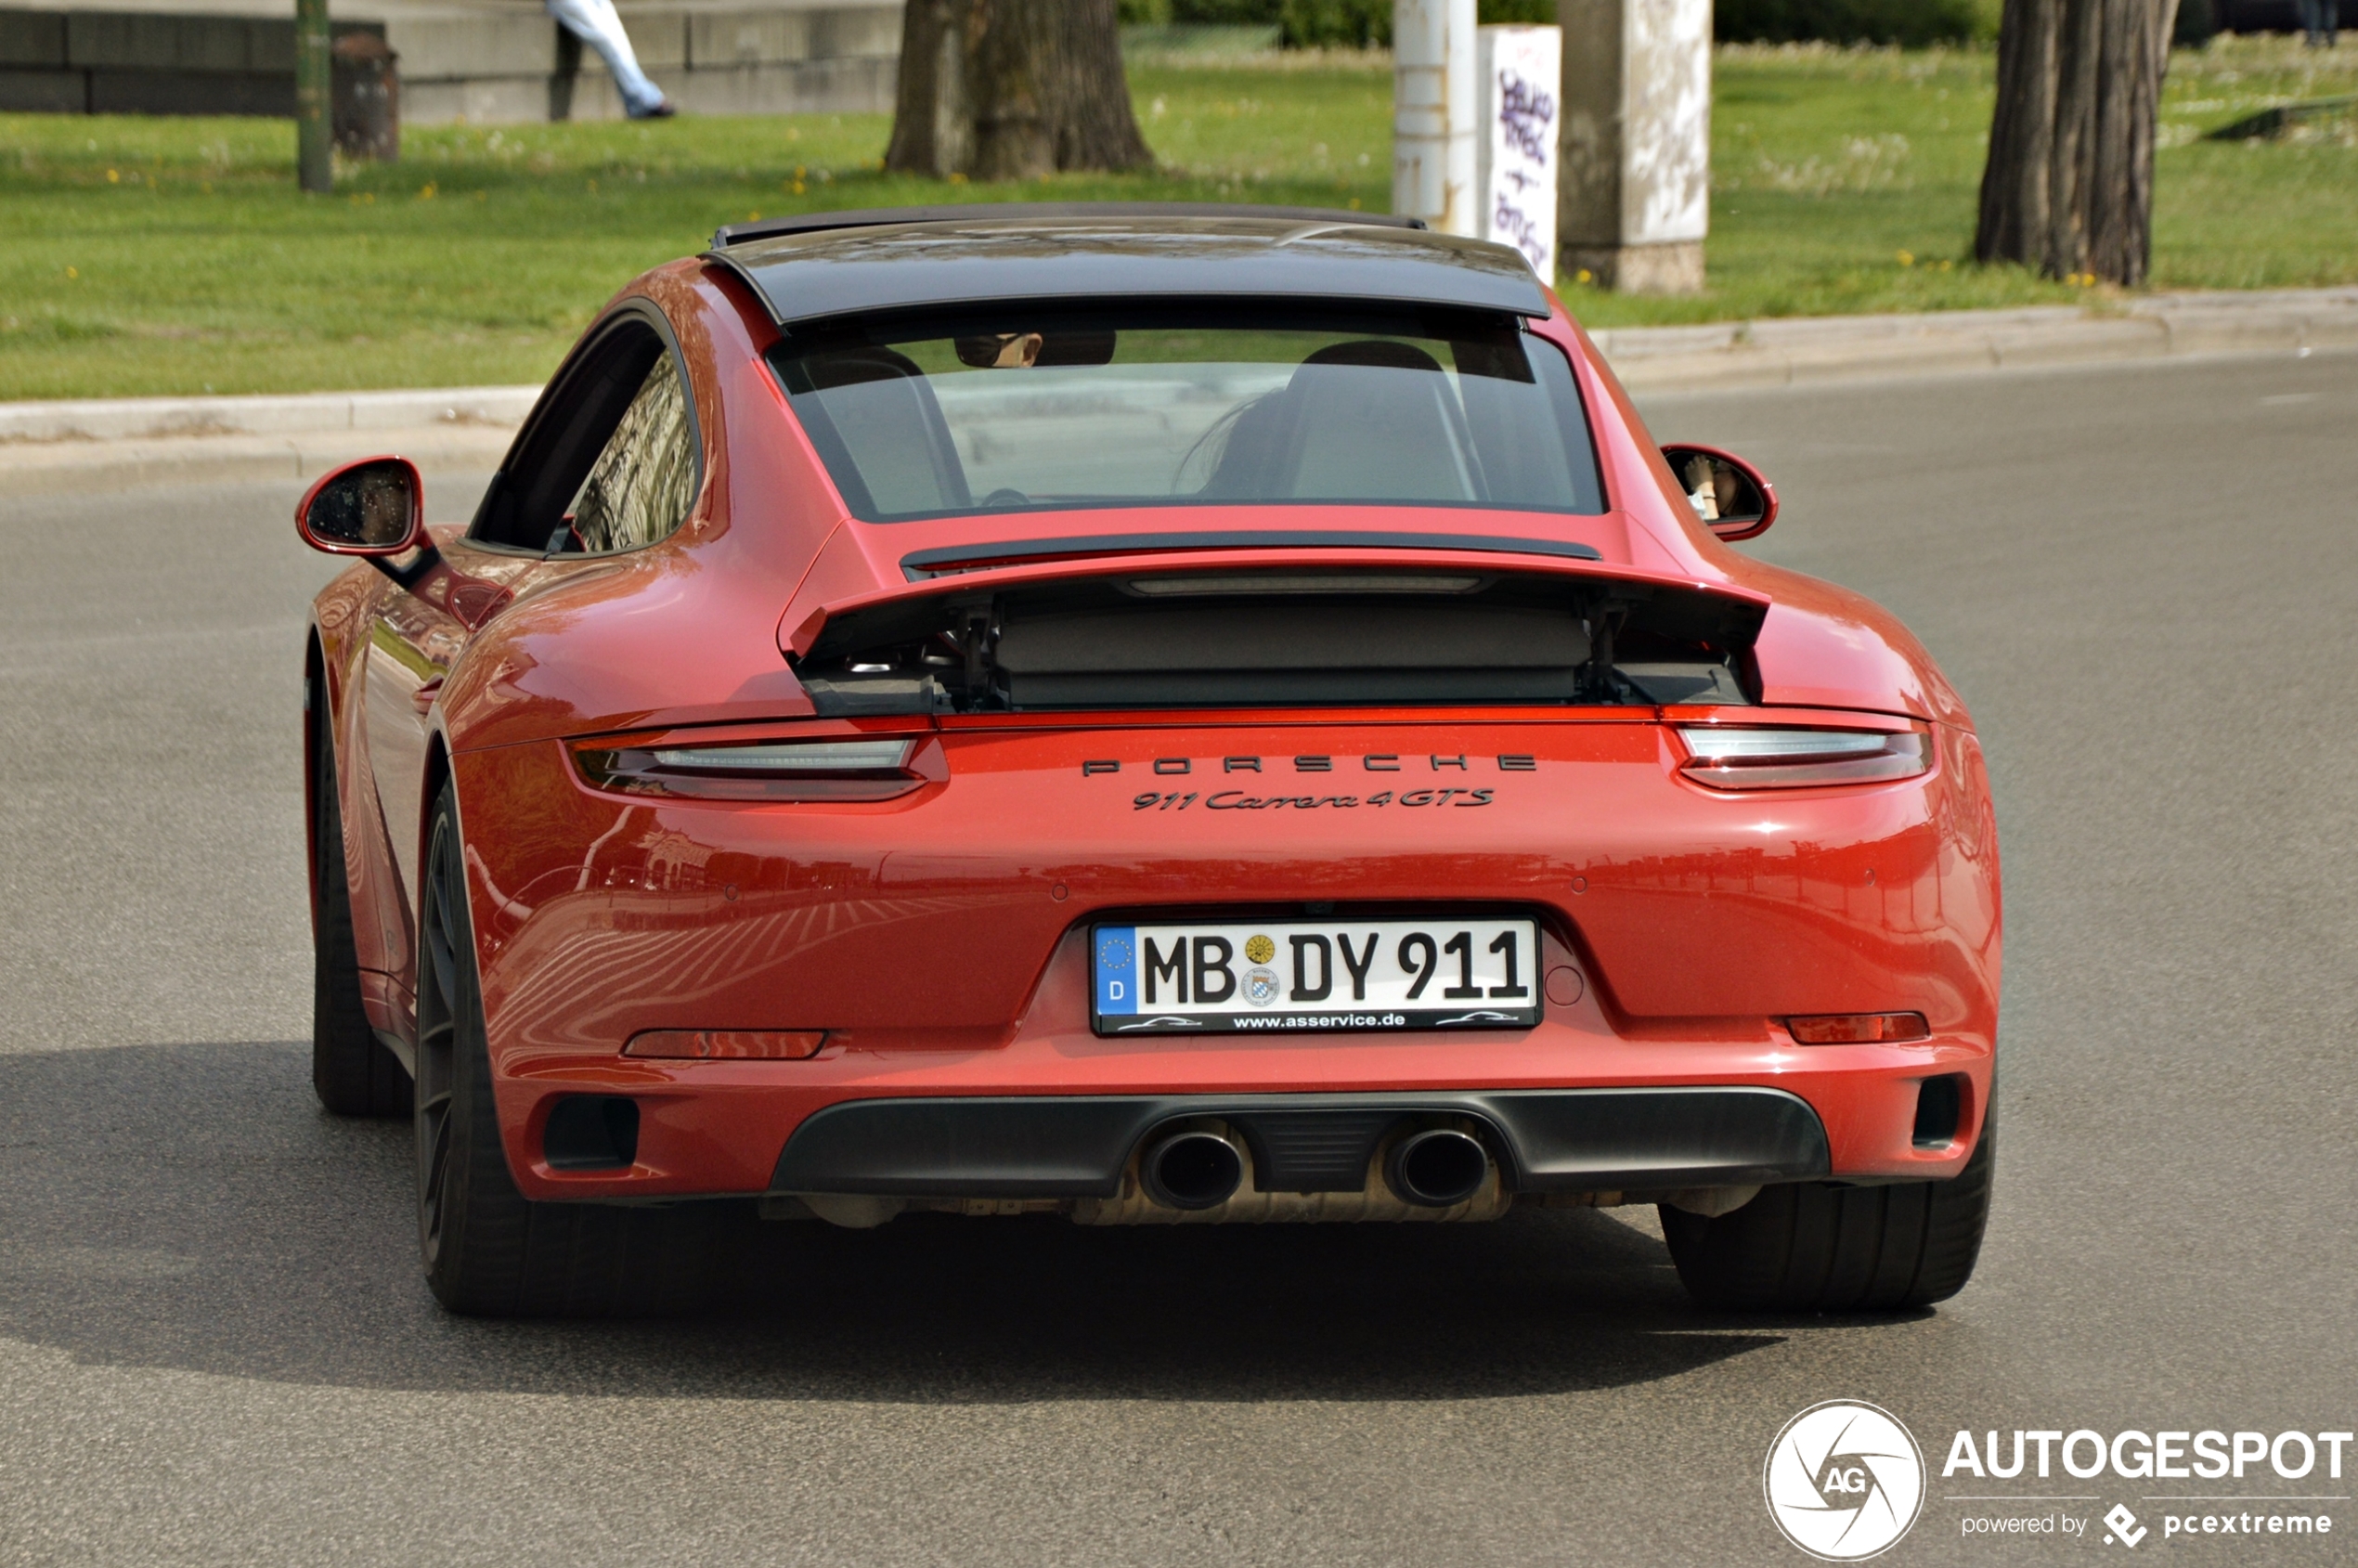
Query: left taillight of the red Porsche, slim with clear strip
[[843, 770]]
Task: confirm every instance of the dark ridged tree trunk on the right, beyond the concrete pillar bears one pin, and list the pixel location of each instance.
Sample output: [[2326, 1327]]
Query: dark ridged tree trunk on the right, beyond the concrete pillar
[[2069, 185]]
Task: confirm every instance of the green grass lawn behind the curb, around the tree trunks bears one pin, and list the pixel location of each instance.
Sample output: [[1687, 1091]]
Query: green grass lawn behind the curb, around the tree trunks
[[176, 256]]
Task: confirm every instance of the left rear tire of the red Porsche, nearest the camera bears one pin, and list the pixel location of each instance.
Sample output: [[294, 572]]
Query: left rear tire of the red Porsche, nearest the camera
[[487, 1249]]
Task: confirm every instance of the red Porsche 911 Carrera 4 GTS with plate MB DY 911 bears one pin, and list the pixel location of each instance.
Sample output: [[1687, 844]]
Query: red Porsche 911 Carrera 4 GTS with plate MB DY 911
[[1157, 716]]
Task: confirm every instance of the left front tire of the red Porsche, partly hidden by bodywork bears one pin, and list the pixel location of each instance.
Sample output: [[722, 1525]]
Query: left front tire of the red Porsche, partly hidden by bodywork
[[350, 1069]]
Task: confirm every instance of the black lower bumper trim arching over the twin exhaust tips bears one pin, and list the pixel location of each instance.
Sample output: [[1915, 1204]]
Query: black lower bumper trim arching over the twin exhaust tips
[[1081, 1145]]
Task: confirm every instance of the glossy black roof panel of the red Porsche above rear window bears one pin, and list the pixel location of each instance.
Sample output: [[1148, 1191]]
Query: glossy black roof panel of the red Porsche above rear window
[[911, 261]]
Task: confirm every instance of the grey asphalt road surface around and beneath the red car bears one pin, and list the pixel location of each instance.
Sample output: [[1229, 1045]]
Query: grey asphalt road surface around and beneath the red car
[[216, 1348]]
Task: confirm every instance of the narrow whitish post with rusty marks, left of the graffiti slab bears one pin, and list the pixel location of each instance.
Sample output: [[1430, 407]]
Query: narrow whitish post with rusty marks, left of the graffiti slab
[[1432, 114]]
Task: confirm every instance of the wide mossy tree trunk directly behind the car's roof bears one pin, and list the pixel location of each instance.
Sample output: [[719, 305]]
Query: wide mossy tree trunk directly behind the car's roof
[[1013, 91]]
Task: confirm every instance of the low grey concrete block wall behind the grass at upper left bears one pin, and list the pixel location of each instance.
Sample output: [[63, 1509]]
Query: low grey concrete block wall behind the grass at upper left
[[485, 60]]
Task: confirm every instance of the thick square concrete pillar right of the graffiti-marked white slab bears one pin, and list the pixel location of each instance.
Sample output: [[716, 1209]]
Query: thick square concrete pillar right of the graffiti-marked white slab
[[1638, 143]]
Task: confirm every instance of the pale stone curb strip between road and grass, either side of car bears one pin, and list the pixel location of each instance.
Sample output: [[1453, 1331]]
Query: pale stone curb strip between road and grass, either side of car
[[150, 442]]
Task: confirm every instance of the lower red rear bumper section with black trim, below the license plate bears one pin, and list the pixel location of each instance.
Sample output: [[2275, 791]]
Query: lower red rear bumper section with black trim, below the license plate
[[1060, 1114]]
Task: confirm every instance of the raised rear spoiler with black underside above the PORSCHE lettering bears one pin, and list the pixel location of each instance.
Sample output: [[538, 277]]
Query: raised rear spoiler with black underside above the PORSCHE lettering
[[1234, 628]]
